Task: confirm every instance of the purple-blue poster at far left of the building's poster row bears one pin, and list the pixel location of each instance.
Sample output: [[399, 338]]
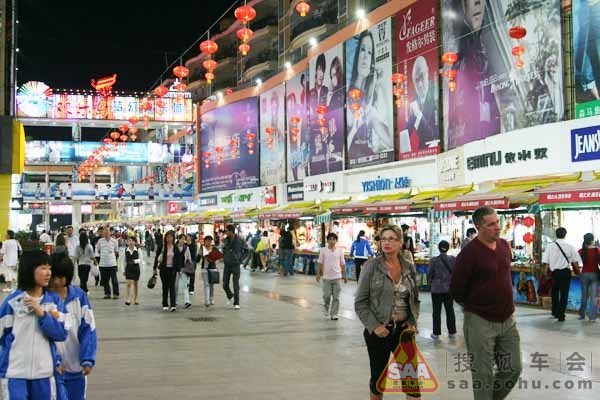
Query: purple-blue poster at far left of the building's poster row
[[230, 146]]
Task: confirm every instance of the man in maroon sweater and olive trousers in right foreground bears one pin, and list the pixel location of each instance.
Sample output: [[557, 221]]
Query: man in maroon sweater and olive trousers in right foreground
[[482, 284]]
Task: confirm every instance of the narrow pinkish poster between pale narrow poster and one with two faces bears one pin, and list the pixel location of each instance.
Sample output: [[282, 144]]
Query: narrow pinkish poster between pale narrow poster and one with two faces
[[298, 145]]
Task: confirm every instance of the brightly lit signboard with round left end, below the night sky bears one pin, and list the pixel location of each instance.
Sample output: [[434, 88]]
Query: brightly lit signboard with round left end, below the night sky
[[36, 100]]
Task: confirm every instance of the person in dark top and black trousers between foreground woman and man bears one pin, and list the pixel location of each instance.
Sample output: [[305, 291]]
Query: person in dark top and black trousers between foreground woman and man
[[439, 277]]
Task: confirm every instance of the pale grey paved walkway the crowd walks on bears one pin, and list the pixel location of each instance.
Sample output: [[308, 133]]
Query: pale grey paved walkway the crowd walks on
[[278, 346]]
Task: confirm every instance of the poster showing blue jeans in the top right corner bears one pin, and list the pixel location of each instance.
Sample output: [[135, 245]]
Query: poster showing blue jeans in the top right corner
[[586, 48]]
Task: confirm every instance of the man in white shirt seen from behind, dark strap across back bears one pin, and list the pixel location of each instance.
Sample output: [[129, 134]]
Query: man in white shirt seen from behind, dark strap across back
[[560, 257]]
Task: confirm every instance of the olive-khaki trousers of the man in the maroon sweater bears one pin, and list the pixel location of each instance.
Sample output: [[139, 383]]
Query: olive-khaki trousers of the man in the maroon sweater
[[485, 340]]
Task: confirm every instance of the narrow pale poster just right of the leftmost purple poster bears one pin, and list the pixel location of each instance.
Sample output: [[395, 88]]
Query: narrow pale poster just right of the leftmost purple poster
[[272, 136]]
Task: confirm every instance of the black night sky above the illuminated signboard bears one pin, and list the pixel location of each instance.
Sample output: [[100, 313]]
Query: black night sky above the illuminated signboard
[[66, 43]]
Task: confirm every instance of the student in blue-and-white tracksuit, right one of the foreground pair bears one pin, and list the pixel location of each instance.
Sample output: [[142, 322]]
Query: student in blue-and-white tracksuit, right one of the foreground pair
[[78, 353]]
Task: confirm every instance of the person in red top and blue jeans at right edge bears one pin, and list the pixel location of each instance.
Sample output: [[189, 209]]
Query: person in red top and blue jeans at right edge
[[590, 255]]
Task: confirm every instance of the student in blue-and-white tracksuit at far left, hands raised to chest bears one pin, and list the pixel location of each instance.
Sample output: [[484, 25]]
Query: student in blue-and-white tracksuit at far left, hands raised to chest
[[32, 320]]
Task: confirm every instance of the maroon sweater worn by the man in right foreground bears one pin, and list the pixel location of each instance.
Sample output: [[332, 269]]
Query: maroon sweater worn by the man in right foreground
[[481, 280]]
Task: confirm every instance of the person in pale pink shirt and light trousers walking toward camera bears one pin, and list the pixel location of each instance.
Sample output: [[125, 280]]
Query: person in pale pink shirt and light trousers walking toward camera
[[332, 267]]
